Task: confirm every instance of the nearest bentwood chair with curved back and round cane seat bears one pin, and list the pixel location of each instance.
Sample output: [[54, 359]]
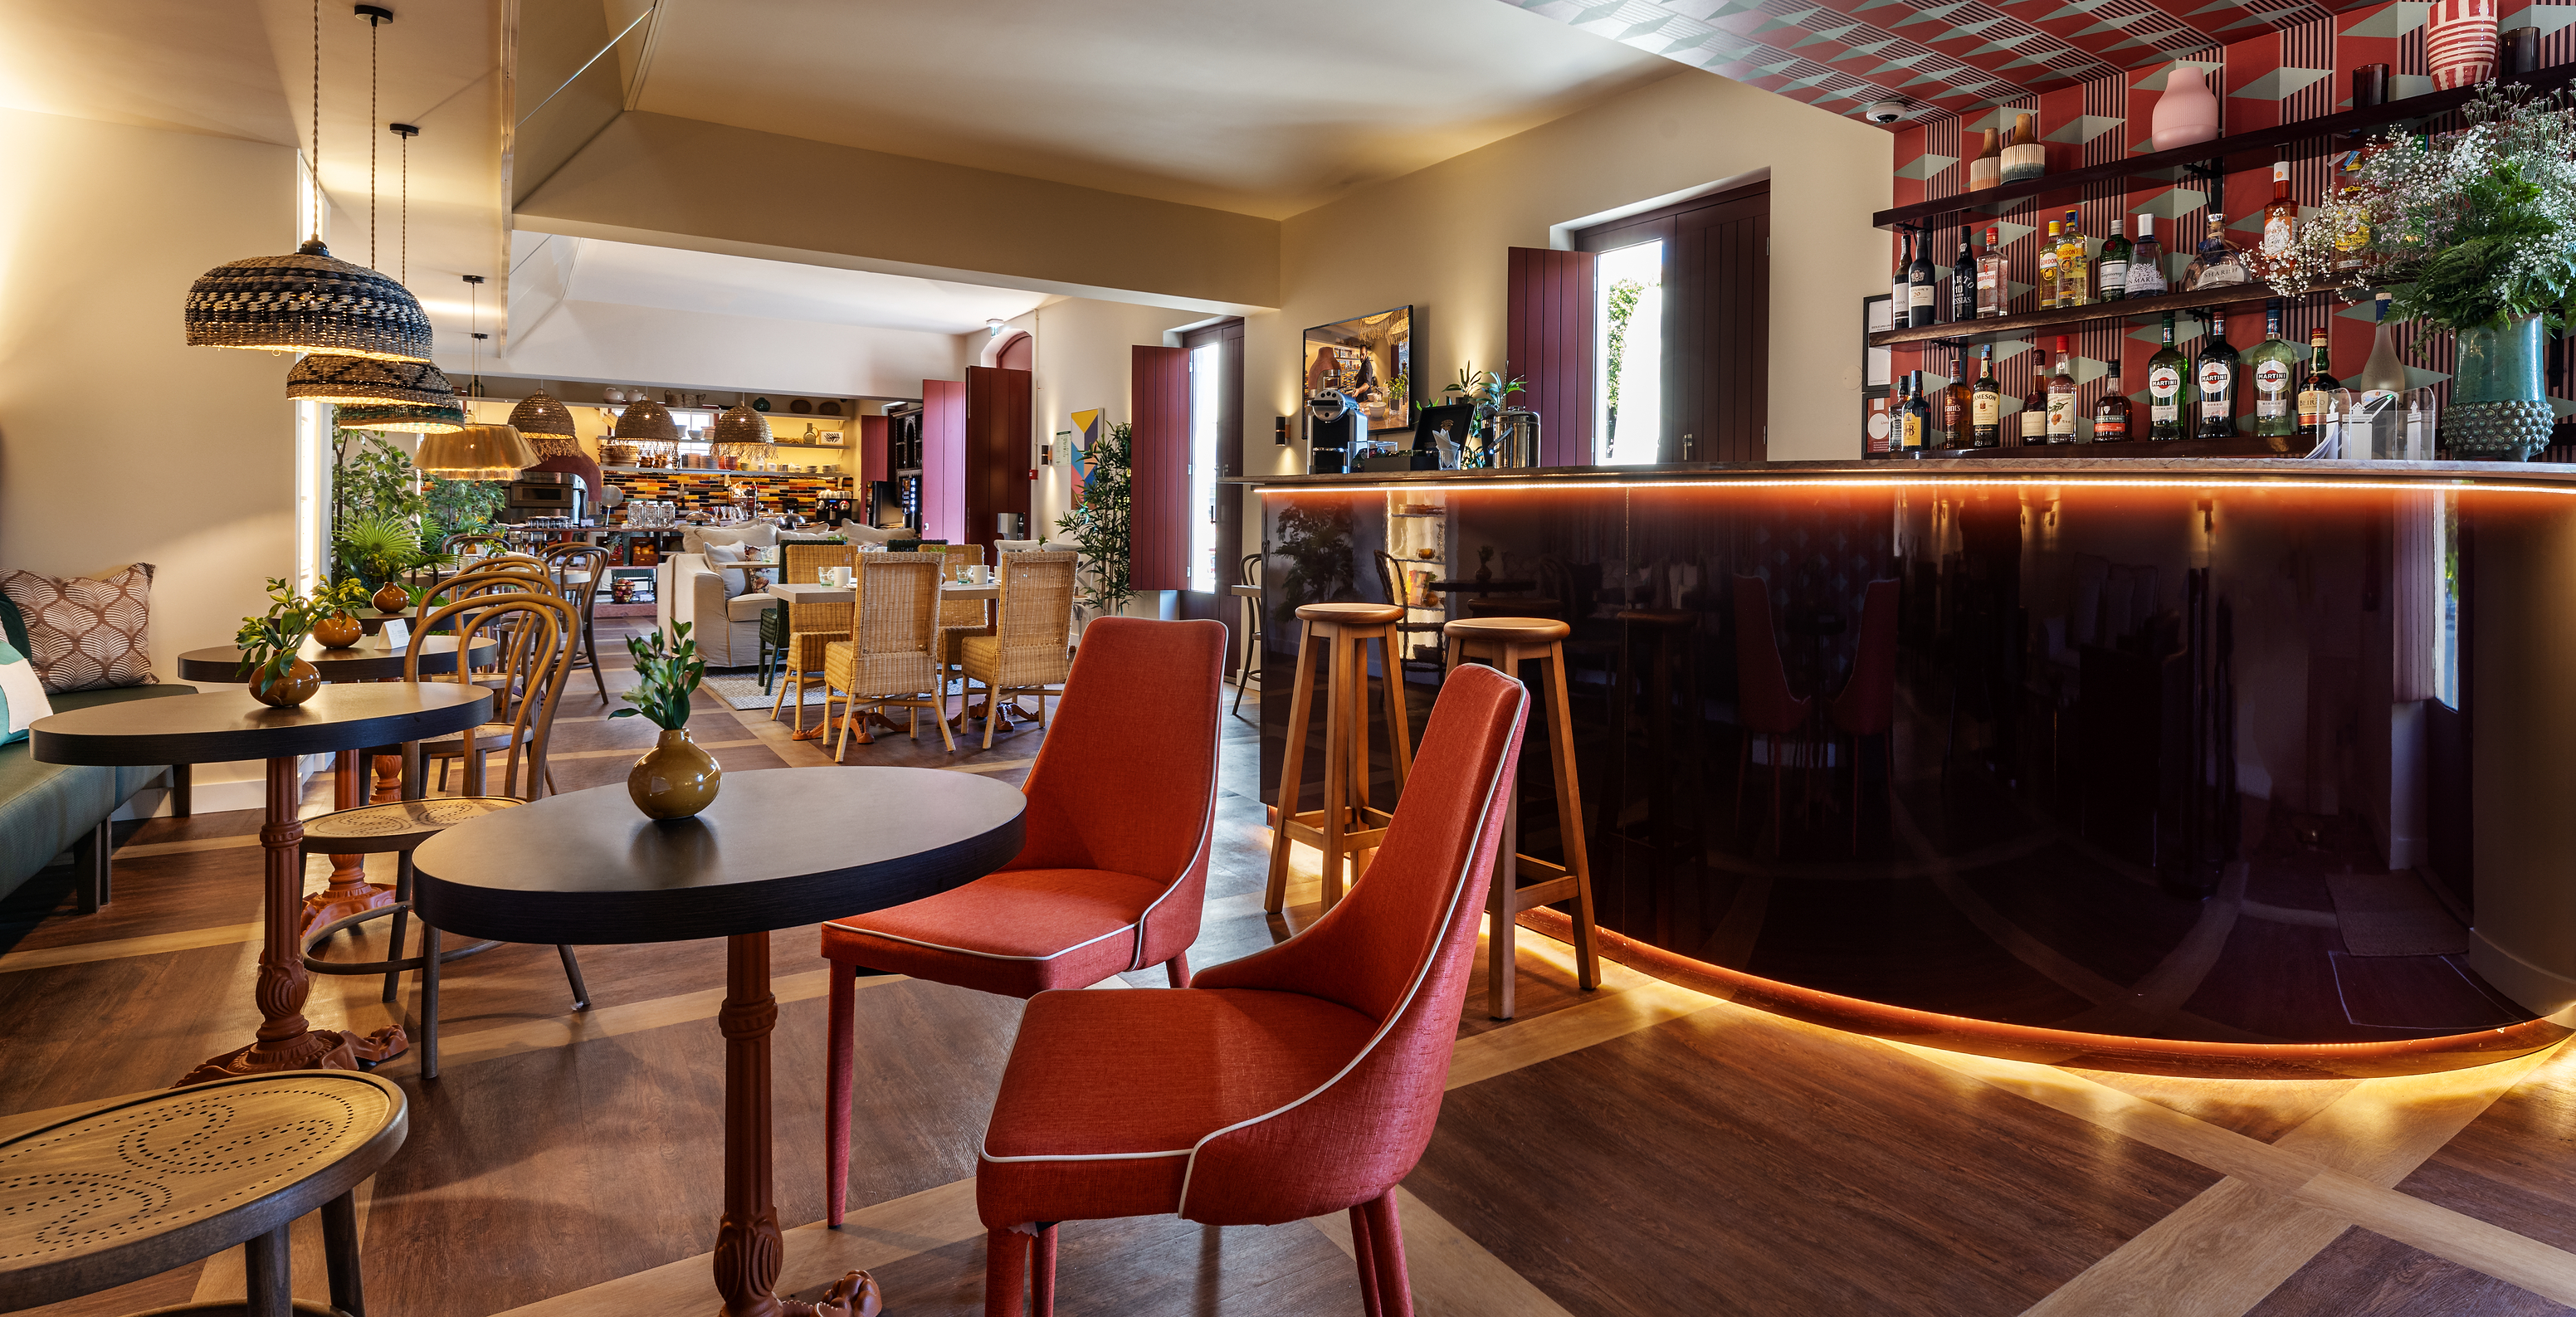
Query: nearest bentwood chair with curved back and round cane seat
[[535, 666]]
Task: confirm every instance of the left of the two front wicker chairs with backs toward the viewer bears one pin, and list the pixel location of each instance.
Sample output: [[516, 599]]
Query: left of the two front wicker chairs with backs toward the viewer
[[893, 651]]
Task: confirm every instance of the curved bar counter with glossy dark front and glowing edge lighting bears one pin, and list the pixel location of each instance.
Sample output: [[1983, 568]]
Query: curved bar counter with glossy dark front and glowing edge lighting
[[2186, 767]]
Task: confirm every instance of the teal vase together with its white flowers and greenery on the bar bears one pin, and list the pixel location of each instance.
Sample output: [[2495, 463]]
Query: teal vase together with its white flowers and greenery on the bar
[[2472, 233]]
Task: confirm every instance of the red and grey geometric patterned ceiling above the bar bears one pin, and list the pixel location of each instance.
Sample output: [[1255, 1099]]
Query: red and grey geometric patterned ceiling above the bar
[[1956, 55]]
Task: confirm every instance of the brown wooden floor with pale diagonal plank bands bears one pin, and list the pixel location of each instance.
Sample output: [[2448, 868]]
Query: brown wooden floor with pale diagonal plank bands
[[1637, 1151]]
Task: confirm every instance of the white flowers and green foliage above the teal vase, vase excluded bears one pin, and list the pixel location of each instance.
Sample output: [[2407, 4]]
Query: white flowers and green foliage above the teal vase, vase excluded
[[2464, 231]]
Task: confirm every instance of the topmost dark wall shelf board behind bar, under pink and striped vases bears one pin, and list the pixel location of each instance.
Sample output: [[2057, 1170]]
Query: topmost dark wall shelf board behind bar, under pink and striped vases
[[2219, 156]]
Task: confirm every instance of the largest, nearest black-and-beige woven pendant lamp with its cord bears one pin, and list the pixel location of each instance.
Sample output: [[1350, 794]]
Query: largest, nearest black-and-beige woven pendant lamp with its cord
[[308, 303]]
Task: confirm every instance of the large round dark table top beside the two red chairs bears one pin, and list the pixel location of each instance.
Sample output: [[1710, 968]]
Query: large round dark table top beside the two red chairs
[[779, 849]]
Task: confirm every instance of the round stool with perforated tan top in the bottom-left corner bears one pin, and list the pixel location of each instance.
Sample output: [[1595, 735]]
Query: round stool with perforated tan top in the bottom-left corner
[[146, 1184]]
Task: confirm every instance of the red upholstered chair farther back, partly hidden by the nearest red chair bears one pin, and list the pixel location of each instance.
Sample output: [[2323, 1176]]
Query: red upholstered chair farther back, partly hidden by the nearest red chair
[[1114, 870]]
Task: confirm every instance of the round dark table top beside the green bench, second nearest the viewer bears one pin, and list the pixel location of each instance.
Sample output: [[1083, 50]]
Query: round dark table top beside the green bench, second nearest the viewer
[[231, 726]]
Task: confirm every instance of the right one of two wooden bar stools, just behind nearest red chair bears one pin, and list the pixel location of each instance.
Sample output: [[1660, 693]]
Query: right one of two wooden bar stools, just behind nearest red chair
[[1508, 643]]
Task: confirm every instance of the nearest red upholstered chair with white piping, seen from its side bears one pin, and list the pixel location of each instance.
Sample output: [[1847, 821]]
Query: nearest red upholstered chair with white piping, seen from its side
[[1294, 1081]]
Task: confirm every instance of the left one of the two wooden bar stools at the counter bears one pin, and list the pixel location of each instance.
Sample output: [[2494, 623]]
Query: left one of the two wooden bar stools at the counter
[[1346, 826]]
